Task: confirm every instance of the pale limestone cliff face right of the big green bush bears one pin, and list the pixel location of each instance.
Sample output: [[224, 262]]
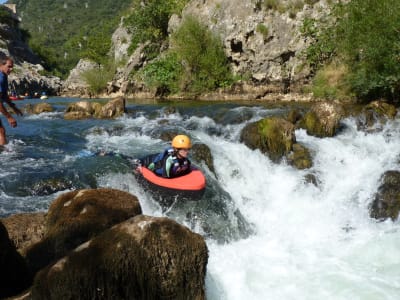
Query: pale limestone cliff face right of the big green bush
[[264, 43]]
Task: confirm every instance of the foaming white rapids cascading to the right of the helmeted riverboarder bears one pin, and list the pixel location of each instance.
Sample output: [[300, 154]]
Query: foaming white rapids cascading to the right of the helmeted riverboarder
[[310, 242]]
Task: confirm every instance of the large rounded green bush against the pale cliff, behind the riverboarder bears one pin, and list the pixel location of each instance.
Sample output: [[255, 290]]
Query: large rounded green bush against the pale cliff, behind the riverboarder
[[196, 62]]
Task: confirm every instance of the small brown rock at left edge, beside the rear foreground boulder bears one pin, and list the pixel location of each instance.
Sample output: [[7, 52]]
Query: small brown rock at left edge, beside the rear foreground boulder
[[25, 229]]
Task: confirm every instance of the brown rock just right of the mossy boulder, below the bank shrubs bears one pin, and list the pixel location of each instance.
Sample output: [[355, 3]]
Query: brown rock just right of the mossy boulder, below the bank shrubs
[[323, 119]]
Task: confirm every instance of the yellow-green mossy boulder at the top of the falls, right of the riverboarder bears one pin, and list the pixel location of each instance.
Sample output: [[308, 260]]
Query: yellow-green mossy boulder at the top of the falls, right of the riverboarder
[[273, 136]]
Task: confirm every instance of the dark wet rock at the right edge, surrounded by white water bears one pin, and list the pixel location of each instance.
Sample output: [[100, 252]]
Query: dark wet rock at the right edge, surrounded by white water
[[387, 200]]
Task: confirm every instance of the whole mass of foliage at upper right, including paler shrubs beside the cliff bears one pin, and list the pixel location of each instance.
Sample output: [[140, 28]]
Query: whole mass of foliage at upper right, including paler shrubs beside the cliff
[[364, 37]]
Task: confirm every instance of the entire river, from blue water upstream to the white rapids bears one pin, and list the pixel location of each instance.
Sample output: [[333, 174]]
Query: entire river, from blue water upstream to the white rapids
[[271, 235]]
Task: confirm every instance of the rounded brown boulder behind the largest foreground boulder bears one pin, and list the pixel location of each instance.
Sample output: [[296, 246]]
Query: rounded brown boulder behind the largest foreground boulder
[[77, 216]]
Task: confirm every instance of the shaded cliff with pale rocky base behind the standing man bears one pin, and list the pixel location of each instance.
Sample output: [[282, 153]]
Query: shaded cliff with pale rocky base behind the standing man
[[26, 77]]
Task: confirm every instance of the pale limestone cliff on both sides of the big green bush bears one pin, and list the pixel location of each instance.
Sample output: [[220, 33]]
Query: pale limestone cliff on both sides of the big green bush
[[263, 44]]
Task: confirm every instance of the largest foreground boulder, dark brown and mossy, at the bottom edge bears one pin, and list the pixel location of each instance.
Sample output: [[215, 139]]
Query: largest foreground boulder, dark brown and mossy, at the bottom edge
[[142, 258]]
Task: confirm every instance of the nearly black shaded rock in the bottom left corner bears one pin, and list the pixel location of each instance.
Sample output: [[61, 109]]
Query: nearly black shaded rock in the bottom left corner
[[14, 274]]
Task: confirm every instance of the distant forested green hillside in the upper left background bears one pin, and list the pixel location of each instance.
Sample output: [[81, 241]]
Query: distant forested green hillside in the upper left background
[[62, 32]]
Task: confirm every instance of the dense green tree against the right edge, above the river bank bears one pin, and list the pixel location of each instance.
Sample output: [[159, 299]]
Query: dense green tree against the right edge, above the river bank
[[369, 32]]
